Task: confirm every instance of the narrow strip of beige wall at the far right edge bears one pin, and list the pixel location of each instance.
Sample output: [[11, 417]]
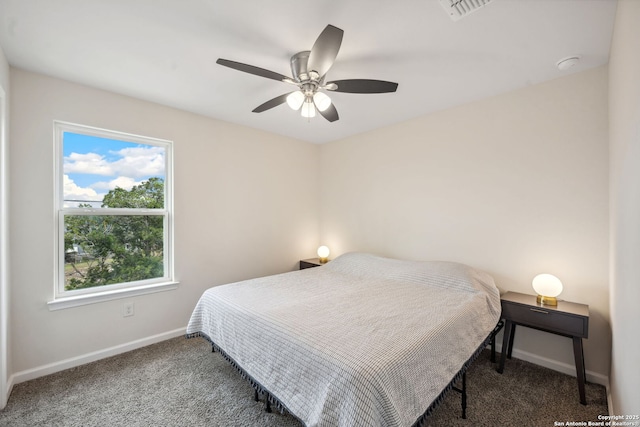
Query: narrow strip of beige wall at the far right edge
[[624, 121]]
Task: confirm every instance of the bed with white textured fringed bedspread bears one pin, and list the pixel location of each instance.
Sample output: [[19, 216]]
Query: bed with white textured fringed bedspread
[[362, 340]]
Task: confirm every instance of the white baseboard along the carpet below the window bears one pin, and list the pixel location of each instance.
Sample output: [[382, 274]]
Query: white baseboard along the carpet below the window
[[51, 368]]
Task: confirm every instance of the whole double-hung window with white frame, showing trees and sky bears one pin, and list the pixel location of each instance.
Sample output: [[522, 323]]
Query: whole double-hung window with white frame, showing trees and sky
[[113, 197]]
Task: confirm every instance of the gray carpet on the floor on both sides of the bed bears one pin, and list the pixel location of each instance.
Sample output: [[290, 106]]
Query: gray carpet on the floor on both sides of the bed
[[179, 382]]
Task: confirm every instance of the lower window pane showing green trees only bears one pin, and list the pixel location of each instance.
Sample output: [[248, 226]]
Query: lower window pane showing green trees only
[[108, 249]]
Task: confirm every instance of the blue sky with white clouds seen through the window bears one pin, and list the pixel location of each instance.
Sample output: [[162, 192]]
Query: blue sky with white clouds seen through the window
[[93, 165]]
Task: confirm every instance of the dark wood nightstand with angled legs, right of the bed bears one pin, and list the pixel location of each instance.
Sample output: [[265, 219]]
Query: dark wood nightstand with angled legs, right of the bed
[[567, 319]]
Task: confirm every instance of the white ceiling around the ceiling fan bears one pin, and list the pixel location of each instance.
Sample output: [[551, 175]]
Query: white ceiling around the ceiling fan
[[165, 51]]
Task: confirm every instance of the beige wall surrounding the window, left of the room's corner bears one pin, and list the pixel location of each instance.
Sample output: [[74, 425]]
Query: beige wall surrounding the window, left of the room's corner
[[242, 209]]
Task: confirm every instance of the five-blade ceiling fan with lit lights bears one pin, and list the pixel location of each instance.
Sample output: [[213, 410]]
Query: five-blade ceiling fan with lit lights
[[309, 68]]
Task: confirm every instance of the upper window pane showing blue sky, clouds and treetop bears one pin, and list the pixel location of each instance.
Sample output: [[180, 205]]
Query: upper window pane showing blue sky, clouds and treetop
[[109, 173]]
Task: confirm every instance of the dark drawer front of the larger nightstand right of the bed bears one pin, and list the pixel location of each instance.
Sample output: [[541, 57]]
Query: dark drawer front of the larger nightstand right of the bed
[[546, 319]]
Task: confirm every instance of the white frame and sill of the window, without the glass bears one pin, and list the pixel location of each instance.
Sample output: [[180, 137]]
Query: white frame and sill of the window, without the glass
[[65, 299]]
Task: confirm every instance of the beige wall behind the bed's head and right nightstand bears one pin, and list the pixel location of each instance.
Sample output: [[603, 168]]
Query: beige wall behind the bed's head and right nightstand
[[516, 185]]
